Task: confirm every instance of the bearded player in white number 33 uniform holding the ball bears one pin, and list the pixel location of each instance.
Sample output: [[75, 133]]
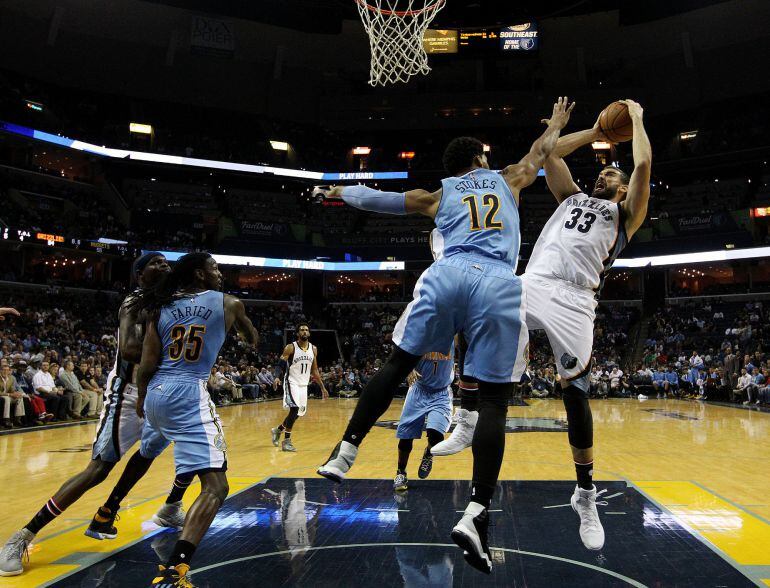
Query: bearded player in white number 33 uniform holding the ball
[[562, 282]]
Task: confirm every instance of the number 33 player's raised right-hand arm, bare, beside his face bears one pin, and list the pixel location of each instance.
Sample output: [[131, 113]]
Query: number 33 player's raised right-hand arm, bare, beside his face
[[638, 197]]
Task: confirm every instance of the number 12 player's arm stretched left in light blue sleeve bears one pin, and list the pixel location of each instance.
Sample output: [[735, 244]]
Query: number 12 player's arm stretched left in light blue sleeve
[[369, 199]]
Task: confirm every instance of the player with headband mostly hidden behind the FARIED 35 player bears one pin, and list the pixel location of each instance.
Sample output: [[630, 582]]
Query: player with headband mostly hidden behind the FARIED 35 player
[[118, 430]]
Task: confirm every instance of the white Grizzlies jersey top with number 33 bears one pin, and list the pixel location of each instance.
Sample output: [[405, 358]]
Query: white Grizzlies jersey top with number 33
[[580, 242]]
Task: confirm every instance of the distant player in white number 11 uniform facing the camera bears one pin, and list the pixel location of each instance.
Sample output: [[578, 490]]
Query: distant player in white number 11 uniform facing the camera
[[298, 363]]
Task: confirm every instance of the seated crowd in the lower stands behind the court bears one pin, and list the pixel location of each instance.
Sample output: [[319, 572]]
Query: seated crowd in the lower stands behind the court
[[55, 357]]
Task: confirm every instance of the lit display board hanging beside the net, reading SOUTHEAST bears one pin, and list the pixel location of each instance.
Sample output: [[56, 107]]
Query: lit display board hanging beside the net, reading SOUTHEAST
[[521, 38]]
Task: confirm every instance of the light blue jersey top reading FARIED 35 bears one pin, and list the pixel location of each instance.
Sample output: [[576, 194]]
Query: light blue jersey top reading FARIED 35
[[192, 330]]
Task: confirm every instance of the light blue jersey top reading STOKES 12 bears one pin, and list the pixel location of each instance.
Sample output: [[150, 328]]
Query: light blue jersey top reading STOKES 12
[[479, 215]]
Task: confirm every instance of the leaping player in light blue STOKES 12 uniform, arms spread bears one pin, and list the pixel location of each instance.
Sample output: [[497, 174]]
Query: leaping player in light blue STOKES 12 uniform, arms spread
[[472, 288]]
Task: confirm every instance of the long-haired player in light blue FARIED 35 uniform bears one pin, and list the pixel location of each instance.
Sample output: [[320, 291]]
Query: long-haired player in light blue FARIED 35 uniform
[[189, 319]]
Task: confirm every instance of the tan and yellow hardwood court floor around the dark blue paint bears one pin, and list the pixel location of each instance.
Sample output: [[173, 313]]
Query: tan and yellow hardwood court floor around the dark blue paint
[[706, 466]]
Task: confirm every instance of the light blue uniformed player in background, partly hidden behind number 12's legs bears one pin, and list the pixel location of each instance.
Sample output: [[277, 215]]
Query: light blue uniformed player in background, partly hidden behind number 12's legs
[[428, 406]]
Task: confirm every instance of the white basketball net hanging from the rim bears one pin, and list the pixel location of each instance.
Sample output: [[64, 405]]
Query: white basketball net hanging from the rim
[[396, 29]]
